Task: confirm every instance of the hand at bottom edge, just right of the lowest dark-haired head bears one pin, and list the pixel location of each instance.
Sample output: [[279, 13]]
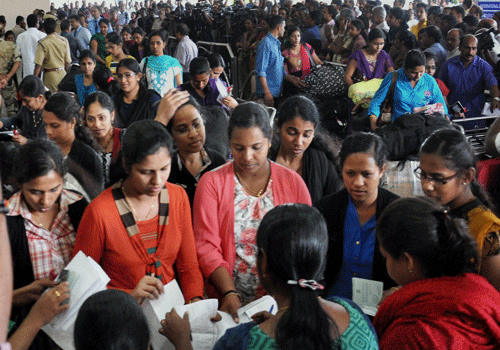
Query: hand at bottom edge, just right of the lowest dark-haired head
[[176, 329]]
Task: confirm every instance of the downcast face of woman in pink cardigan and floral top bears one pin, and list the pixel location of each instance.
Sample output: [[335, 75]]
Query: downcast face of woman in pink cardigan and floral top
[[249, 147]]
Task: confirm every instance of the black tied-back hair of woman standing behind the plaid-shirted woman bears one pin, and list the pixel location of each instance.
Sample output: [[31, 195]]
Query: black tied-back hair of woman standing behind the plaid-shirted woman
[[66, 108]]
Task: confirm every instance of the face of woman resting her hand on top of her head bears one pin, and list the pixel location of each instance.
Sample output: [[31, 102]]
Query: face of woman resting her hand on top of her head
[[188, 130]]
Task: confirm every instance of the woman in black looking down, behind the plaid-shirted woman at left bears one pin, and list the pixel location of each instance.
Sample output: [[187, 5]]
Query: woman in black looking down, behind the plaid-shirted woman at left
[[62, 125]]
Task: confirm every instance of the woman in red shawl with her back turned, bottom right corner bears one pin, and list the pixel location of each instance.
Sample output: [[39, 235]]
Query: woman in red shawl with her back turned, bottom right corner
[[443, 304]]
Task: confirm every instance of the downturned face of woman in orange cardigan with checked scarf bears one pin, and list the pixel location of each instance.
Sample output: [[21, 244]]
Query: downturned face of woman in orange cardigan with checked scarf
[[149, 176]]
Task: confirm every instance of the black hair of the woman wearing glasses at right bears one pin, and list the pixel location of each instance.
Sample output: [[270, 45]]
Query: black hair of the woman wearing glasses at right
[[452, 146]]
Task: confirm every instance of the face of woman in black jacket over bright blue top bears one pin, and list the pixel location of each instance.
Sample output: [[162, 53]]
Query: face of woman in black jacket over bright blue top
[[361, 176]]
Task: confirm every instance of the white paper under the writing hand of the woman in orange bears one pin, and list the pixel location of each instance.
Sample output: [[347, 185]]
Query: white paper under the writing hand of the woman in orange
[[155, 311]]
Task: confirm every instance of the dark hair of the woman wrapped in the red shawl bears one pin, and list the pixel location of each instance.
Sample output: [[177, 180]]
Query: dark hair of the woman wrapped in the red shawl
[[423, 229]]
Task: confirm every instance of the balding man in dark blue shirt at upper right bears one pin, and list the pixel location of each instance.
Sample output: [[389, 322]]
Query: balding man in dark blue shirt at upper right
[[467, 76]]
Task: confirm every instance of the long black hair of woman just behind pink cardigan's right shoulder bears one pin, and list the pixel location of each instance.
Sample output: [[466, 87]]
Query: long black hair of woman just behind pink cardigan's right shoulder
[[301, 107]]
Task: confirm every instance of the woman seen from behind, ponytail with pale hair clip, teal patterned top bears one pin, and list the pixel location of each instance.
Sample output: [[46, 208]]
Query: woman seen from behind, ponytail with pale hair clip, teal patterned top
[[292, 243]]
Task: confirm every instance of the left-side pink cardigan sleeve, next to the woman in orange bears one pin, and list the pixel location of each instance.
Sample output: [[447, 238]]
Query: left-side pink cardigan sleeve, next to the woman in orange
[[206, 226]]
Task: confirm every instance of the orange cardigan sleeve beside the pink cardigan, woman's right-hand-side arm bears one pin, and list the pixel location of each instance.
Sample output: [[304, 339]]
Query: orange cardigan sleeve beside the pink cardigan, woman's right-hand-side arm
[[187, 267]]
